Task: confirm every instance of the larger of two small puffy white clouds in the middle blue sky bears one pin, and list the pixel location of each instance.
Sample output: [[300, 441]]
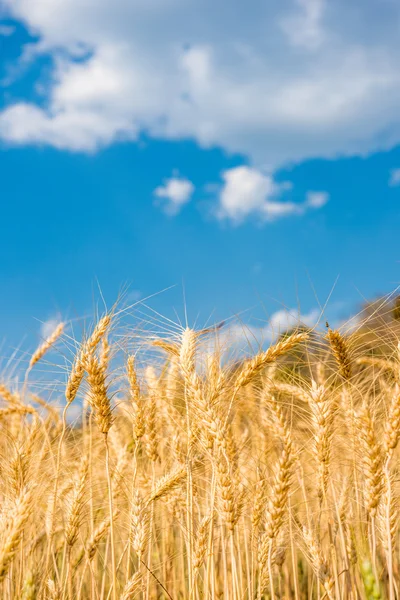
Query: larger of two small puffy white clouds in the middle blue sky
[[247, 191]]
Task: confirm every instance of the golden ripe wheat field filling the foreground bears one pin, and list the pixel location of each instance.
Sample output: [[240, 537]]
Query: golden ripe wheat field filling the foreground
[[191, 476]]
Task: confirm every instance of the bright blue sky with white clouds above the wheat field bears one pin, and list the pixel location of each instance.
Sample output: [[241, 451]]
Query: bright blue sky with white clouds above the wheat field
[[246, 161]]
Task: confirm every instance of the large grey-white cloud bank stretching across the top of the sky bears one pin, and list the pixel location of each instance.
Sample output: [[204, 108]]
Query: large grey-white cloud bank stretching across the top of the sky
[[279, 82]]
